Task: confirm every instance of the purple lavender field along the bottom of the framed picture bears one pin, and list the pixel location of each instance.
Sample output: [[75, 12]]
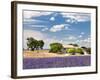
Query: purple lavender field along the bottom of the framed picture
[[56, 62]]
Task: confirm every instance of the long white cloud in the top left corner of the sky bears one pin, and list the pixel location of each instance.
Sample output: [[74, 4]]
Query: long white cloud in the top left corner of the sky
[[29, 14]]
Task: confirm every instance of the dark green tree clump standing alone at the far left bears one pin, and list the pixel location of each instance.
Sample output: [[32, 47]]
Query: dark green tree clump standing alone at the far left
[[34, 44]]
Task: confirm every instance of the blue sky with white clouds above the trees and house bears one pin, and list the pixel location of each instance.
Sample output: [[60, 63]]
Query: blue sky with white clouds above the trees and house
[[51, 26]]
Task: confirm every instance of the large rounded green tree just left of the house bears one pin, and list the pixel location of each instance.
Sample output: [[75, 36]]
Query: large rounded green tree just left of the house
[[56, 47]]
